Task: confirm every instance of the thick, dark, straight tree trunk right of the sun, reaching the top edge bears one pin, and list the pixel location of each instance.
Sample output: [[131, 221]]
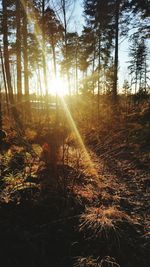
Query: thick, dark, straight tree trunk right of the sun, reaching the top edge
[[115, 82]]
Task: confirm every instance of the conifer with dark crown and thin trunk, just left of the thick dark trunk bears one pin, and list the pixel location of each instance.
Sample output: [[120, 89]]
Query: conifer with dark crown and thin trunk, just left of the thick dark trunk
[[98, 16]]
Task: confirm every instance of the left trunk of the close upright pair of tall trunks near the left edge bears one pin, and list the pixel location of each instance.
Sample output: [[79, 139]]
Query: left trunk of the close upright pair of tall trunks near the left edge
[[18, 48]]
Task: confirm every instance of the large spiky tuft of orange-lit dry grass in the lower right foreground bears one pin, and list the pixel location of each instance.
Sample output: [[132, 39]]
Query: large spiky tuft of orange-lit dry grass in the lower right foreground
[[104, 223]]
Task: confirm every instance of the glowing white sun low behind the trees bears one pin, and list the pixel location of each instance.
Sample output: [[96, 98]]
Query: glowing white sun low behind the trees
[[58, 86]]
